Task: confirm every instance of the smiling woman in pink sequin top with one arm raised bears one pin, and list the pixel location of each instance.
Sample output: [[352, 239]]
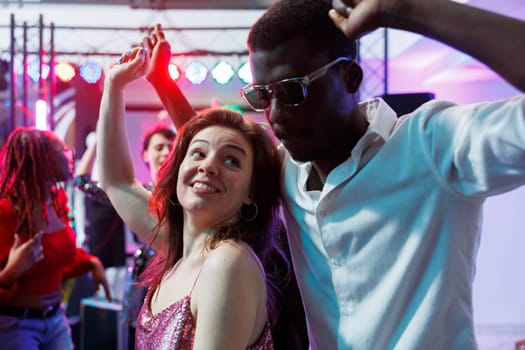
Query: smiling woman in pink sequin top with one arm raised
[[212, 223]]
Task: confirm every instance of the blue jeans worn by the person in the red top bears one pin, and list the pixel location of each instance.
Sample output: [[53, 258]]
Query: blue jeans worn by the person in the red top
[[52, 333]]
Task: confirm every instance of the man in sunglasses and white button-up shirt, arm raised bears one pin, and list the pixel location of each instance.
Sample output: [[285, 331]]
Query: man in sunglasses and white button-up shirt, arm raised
[[383, 214]]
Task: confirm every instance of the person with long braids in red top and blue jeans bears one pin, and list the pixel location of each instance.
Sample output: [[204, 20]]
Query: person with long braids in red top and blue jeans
[[37, 244]]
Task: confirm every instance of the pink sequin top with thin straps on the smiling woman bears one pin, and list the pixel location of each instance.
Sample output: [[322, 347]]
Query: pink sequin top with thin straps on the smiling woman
[[173, 329]]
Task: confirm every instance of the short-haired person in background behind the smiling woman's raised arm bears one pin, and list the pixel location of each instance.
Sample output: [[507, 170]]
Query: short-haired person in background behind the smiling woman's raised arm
[[105, 229]]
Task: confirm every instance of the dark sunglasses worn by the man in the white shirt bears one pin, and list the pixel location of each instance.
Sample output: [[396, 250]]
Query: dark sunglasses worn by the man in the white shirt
[[291, 92]]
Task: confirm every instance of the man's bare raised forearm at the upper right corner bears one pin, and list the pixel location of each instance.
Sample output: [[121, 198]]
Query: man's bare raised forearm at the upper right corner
[[496, 40]]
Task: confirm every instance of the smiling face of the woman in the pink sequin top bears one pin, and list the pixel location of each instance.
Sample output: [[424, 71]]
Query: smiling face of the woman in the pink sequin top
[[215, 175]]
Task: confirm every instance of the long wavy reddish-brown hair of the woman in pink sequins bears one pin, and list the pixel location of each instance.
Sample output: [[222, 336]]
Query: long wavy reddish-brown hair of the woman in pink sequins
[[261, 233]]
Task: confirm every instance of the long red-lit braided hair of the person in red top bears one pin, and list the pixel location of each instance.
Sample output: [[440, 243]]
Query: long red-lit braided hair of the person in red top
[[29, 172]]
